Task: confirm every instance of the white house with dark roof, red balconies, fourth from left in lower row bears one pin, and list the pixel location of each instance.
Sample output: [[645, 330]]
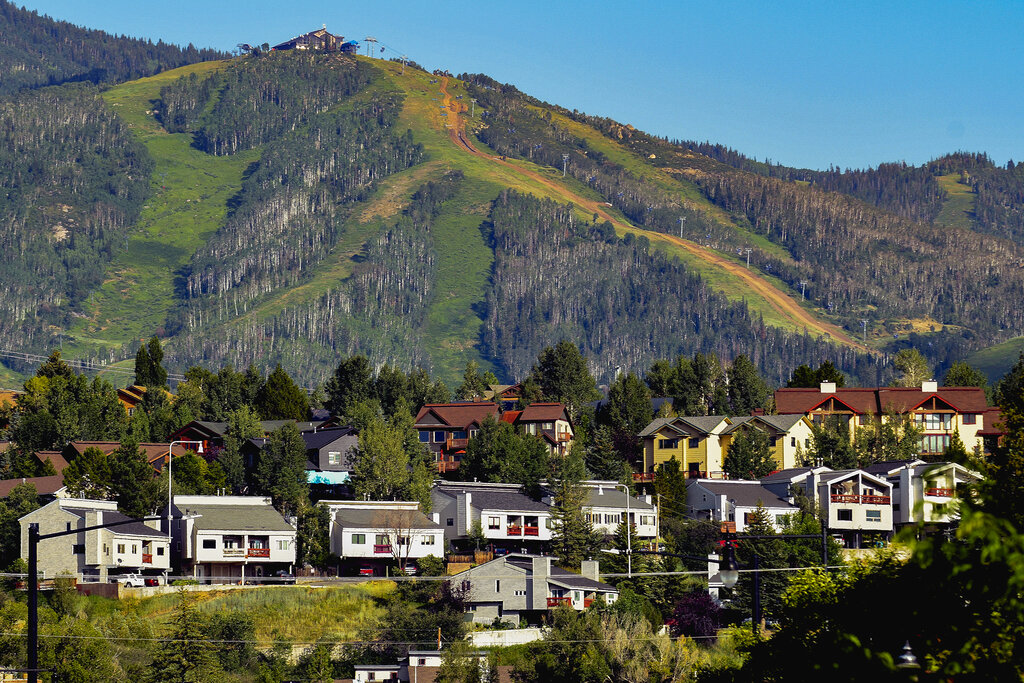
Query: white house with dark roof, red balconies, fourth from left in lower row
[[509, 520]]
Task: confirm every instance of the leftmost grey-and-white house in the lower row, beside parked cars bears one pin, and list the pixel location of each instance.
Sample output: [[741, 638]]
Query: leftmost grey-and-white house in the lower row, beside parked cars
[[93, 556]]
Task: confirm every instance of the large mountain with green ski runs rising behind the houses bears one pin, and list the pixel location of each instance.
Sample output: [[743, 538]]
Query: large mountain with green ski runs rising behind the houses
[[297, 207]]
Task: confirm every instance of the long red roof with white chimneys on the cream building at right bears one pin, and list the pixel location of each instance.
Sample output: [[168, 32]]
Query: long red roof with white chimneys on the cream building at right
[[877, 401]]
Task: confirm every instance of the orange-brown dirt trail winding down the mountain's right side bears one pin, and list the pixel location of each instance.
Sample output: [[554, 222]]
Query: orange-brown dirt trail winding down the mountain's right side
[[776, 297]]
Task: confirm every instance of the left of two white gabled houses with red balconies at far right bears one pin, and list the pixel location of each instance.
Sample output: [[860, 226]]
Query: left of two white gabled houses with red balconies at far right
[[855, 503]]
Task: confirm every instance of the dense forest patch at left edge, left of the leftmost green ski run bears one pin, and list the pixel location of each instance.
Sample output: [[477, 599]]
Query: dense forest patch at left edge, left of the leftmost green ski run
[[73, 181]]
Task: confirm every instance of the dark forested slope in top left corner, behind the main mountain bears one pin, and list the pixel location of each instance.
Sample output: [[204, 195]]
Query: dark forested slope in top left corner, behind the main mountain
[[36, 51]]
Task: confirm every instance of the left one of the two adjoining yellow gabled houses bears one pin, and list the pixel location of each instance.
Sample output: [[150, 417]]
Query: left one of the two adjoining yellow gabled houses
[[694, 442]]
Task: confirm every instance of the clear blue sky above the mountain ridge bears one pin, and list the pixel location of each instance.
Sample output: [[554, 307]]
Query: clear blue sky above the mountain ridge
[[852, 84]]
